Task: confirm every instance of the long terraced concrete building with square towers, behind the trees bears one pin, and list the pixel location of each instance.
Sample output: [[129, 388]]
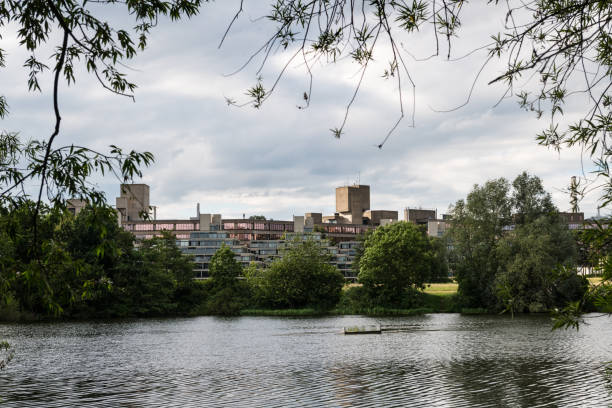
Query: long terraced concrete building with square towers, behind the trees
[[258, 240]]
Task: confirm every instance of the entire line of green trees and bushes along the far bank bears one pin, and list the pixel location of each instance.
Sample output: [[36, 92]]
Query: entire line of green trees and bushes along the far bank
[[507, 249]]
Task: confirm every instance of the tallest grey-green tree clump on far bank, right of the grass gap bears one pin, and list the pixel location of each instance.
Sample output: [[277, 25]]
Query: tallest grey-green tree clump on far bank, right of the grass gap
[[511, 250]]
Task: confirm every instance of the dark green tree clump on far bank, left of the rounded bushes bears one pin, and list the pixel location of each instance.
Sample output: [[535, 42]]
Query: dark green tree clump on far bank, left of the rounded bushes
[[86, 266]]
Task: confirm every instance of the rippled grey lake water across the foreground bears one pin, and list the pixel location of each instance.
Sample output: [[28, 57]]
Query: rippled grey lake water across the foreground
[[438, 360]]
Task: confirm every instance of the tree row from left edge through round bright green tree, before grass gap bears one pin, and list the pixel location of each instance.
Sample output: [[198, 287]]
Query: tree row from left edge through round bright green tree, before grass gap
[[86, 266]]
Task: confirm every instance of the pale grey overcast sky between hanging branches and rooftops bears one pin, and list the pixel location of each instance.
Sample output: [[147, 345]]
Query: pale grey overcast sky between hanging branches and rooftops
[[279, 160]]
